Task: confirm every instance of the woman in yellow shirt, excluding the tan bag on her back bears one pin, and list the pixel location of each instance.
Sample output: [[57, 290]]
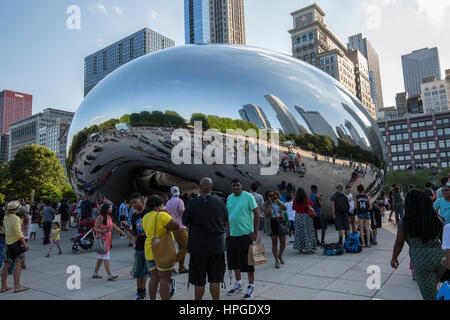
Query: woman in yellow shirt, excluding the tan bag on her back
[[164, 223]]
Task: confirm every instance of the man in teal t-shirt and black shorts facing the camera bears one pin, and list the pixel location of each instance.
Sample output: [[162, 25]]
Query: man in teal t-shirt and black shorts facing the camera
[[242, 231]]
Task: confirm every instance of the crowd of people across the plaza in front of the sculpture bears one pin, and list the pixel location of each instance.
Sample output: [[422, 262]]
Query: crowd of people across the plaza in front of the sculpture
[[217, 234]]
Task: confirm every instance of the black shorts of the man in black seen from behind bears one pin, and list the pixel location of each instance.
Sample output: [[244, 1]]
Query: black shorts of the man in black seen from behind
[[200, 266]]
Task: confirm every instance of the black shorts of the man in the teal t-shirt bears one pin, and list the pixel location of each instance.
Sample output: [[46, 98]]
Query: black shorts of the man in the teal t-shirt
[[237, 253]]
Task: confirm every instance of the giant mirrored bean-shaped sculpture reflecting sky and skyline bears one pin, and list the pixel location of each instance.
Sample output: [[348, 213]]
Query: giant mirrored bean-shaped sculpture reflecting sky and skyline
[[121, 138]]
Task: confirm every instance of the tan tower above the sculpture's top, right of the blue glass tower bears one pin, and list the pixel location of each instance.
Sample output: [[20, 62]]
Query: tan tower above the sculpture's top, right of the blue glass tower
[[227, 21]]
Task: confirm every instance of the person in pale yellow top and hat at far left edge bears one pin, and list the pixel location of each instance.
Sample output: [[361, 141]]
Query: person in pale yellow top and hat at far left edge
[[14, 239]]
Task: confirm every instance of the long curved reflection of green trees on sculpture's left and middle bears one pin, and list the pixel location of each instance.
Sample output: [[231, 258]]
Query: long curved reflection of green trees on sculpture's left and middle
[[154, 118]]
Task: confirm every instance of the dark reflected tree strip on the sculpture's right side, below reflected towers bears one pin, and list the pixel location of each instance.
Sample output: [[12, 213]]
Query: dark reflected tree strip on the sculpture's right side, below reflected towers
[[324, 145]]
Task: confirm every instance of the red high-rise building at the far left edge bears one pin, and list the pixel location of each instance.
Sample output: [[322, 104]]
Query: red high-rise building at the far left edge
[[14, 106]]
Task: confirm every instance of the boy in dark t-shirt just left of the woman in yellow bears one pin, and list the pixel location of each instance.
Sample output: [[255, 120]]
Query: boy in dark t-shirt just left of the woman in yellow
[[140, 270]]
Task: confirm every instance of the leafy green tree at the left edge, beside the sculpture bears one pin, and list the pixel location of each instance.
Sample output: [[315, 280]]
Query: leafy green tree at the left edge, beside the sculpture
[[32, 167]]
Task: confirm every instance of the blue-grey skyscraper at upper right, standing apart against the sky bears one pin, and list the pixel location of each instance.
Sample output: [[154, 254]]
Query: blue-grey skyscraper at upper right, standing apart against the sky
[[418, 65]]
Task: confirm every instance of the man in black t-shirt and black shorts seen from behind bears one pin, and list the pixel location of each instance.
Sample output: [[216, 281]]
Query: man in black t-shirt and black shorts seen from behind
[[206, 217]]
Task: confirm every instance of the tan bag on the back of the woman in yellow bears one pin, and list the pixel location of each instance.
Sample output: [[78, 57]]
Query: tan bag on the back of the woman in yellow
[[163, 249]]
